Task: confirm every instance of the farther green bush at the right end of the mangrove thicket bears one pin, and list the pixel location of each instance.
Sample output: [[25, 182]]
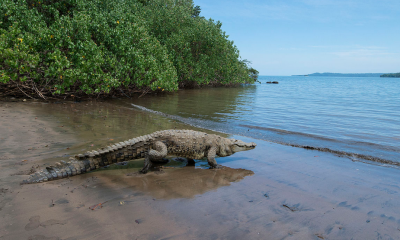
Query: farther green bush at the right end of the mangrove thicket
[[199, 49]]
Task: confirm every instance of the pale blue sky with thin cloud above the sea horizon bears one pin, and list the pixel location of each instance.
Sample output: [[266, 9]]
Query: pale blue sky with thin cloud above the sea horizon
[[286, 37]]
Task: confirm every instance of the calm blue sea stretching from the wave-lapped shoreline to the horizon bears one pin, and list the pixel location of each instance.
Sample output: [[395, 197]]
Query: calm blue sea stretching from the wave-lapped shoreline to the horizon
[[354, 115]]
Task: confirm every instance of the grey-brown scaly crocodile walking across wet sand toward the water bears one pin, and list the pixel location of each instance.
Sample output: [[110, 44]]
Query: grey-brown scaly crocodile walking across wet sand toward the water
[[153, 148]]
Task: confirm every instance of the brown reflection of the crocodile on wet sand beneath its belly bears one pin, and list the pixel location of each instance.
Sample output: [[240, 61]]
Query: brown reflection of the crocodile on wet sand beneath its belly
[[185, 182]]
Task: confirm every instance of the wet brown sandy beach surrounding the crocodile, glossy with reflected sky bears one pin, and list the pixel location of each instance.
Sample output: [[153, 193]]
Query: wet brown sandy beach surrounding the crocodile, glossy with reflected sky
[[271, 192]]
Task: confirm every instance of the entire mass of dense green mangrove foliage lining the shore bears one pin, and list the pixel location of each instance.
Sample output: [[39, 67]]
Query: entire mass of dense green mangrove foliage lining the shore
[[97, 46]]
